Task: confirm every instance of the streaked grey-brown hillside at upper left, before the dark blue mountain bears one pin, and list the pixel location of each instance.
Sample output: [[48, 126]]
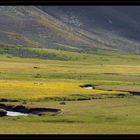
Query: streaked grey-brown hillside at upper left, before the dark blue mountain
[[30, 26]]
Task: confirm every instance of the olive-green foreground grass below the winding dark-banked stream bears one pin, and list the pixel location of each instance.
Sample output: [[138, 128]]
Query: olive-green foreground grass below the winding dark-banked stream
[[101, 116]]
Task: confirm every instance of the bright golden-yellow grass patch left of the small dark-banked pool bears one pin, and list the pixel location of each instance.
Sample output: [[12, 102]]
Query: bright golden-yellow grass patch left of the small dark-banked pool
[[33, 90]]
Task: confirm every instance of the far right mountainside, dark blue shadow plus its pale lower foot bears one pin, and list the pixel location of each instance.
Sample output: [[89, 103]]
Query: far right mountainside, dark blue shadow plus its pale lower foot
[[114, 26]]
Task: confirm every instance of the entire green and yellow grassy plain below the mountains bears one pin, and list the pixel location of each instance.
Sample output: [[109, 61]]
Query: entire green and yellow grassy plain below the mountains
[[45, 83]]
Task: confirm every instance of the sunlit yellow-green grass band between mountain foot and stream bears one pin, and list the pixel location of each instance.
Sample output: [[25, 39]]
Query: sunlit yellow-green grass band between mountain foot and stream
[[34, 78]]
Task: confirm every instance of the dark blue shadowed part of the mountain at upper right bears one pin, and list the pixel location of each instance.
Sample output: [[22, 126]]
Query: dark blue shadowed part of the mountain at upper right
[[122, 20]]
